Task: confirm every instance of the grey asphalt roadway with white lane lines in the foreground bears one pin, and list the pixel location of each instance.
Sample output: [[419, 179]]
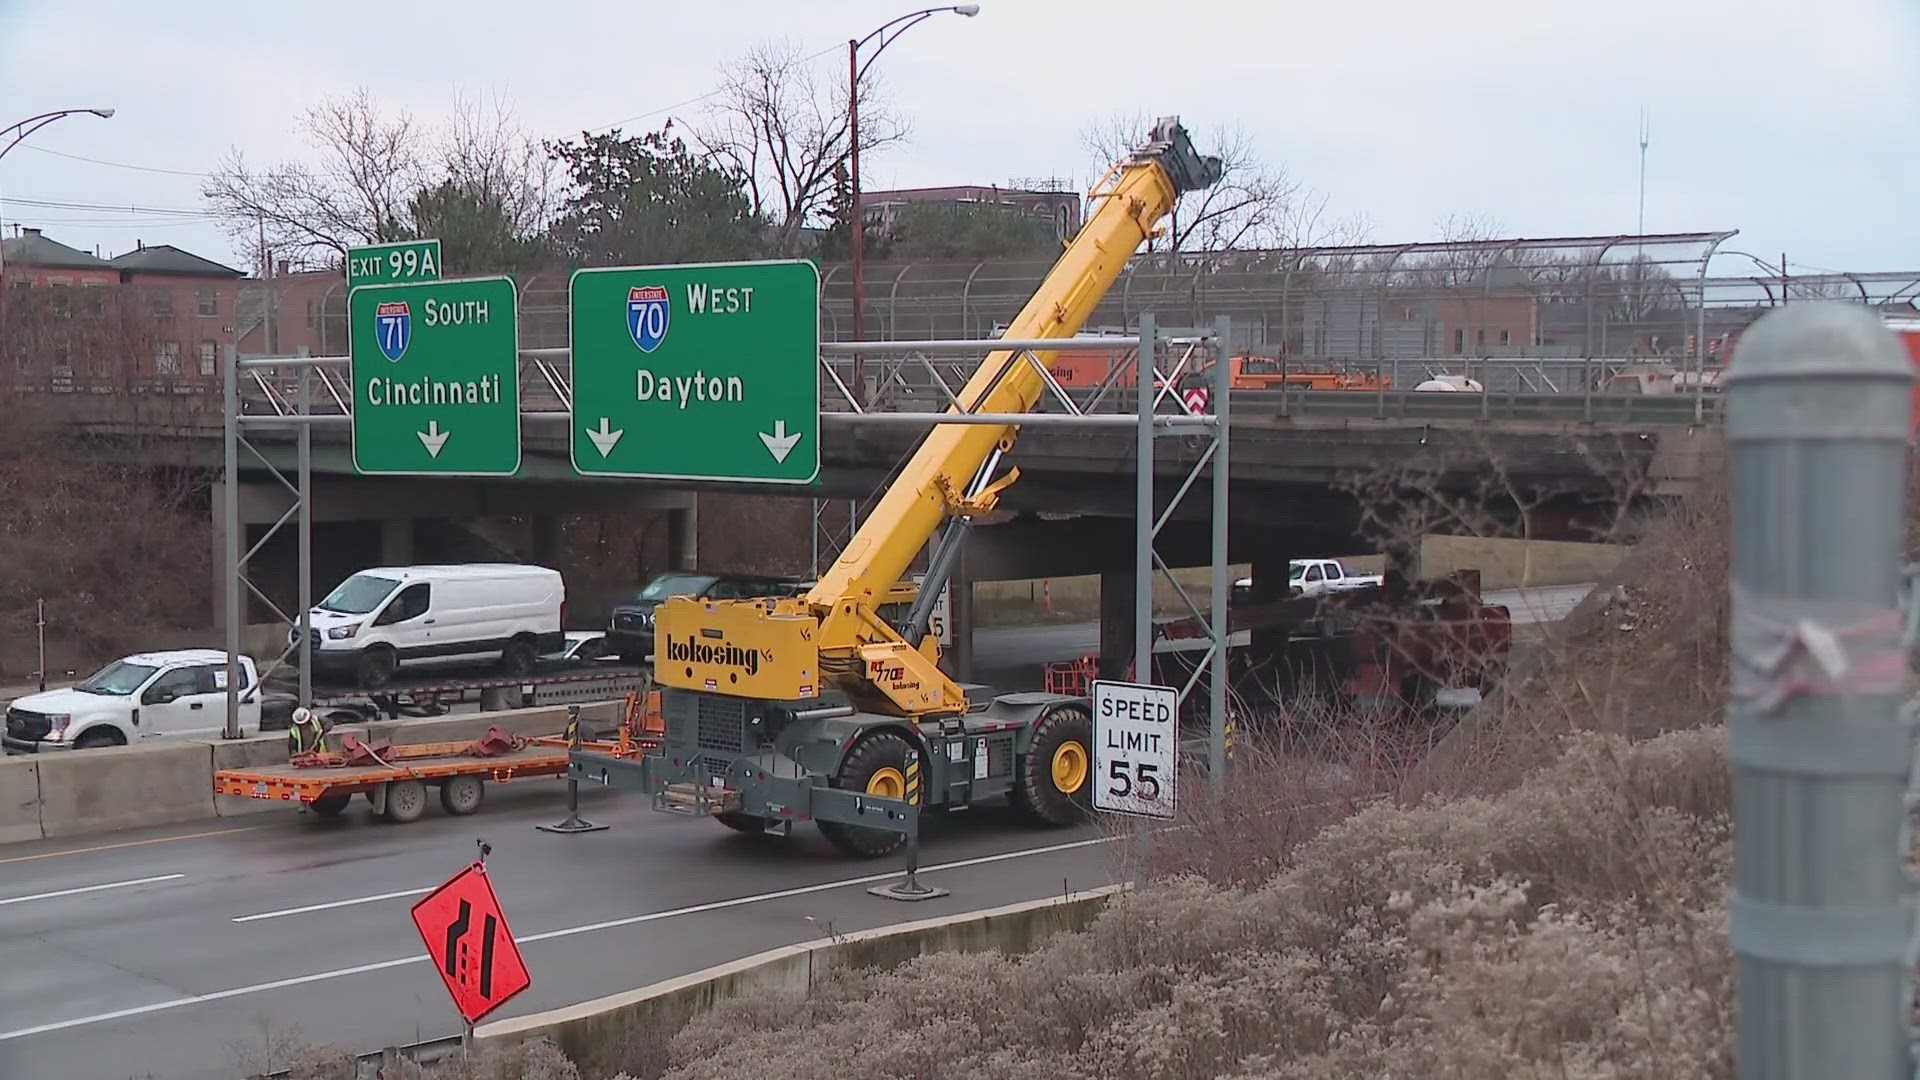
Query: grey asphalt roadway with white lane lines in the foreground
[[178, 954]]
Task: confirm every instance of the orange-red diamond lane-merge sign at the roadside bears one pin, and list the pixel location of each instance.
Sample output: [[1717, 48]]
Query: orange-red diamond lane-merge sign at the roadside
[[469, 943]]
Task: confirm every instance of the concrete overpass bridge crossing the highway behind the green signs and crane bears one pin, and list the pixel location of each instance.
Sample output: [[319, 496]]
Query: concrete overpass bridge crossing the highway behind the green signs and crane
[[1305, 466]]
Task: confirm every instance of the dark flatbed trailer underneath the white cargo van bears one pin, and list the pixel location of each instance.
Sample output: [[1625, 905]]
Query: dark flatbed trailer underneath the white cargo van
[[347, 704]]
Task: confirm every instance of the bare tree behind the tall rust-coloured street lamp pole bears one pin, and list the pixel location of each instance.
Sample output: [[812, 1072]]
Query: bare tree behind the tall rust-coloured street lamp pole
[[784, 132]]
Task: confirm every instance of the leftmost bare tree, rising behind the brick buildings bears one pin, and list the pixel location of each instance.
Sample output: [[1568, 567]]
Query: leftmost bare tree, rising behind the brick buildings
[[356, 189]]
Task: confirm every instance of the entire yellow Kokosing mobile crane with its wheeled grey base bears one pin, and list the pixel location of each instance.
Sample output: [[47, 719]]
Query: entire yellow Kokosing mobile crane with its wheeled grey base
[[819, 708]]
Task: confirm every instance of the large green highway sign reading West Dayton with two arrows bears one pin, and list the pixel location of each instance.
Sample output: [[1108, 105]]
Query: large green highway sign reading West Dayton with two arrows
[[698, 372]]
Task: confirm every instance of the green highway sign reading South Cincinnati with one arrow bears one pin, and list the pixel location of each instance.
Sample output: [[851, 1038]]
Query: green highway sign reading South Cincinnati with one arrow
[[437, 378]]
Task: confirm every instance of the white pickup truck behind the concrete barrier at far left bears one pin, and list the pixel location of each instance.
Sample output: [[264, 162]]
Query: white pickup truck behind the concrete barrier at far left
[[143, 695]]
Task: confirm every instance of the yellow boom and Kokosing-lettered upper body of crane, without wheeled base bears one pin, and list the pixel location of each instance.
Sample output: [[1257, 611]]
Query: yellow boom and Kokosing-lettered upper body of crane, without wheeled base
[[834, 637]]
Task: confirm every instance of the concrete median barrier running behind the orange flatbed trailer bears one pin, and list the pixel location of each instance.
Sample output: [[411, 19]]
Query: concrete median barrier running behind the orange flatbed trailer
[[170, 781]]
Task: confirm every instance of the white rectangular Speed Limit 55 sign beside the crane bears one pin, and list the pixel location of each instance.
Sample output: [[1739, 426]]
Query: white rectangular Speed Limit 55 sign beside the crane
[[1138, 741]]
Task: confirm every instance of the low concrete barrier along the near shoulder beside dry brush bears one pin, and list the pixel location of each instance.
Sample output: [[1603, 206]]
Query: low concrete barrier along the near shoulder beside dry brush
[[665, 1006]]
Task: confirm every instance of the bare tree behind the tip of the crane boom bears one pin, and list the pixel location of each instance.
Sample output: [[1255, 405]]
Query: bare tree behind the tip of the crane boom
[[1247, 209]]
